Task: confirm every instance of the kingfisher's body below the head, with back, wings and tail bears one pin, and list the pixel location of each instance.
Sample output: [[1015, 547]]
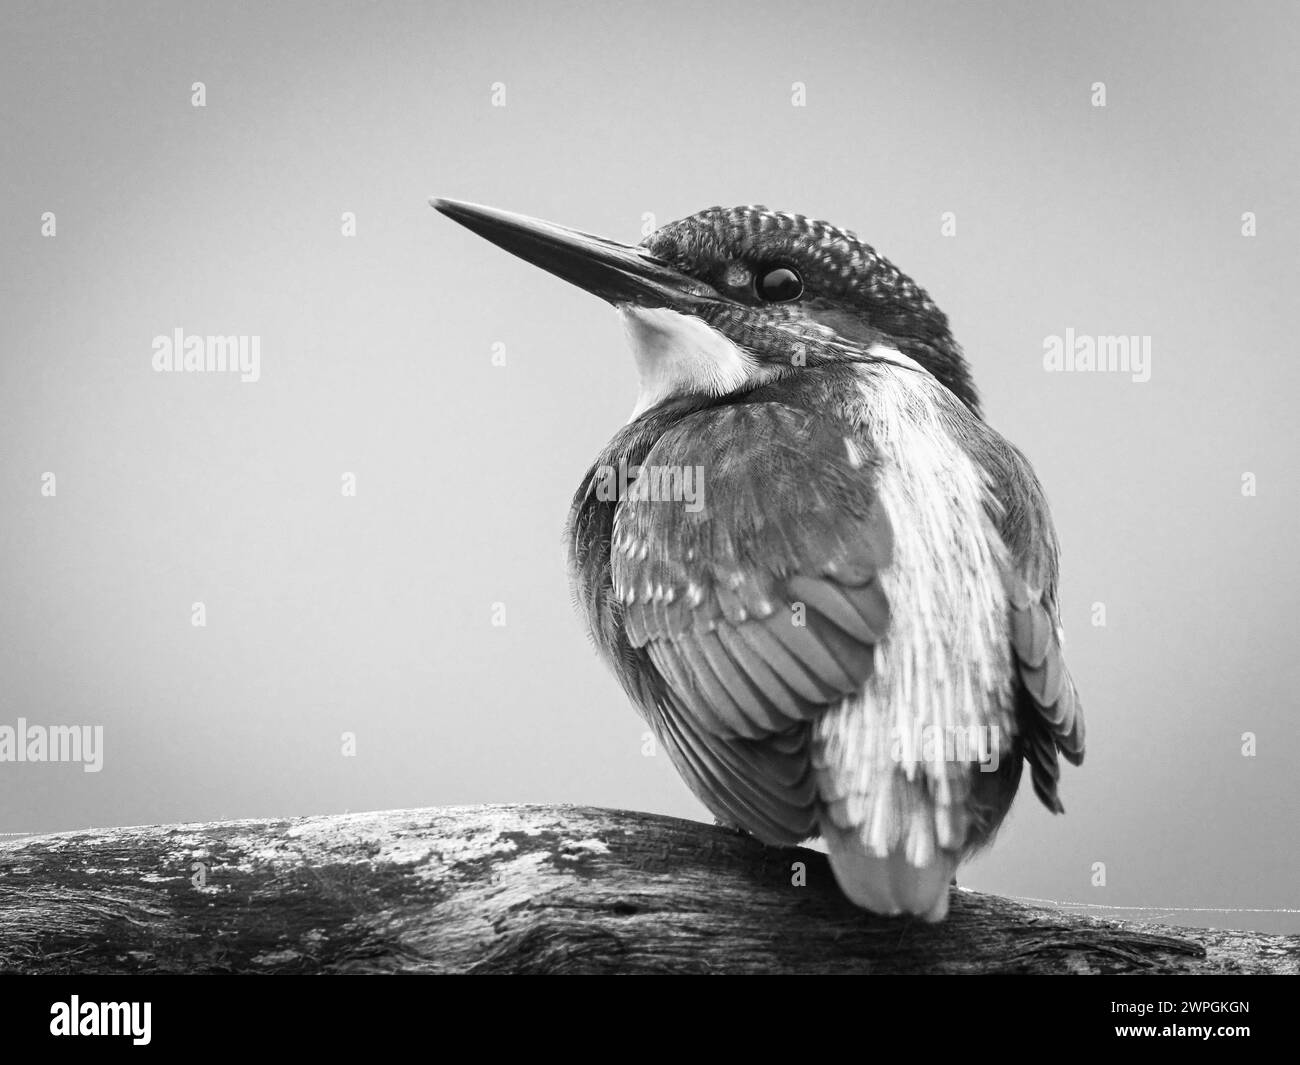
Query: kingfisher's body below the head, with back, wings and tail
[[850, 596]]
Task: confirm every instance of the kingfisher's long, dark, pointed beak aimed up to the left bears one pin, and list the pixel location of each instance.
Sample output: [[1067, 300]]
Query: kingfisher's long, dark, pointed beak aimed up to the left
[[616, 272]]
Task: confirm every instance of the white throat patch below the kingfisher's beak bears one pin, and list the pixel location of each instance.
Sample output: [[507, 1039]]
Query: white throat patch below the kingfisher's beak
[[682, 356]]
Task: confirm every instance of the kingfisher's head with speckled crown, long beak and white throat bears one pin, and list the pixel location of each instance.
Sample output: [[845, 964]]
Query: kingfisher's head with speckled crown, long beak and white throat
[[731, 298]]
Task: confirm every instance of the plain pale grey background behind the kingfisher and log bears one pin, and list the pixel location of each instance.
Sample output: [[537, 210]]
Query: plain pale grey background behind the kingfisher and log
[[374, 614]]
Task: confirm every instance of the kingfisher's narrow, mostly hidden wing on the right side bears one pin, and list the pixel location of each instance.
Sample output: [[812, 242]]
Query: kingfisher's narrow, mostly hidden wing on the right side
[[1050, 713]]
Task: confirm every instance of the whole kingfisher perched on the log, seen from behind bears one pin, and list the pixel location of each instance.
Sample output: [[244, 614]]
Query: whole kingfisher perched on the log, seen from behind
[[851, 629]]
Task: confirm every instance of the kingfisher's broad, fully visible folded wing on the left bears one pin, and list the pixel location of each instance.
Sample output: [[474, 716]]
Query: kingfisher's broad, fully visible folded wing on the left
[[760, 604]]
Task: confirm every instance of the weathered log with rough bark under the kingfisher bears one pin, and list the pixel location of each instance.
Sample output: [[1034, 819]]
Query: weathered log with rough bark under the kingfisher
[[522, 890]]
